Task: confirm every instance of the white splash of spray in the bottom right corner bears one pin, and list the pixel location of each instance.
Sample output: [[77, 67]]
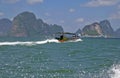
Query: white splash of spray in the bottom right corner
[[115, 71]]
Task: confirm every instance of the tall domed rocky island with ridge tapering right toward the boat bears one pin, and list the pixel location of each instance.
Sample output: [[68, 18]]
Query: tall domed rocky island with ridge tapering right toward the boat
[[26, 25]]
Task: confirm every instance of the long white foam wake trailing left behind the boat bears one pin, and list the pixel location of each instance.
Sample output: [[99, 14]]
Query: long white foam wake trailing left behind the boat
[[29, 43]]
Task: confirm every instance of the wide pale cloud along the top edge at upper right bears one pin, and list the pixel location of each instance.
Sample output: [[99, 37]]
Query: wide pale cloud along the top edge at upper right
[[97, 3]]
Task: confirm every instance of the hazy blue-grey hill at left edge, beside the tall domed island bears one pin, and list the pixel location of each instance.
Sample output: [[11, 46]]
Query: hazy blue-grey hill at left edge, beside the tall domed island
[[5, 26]]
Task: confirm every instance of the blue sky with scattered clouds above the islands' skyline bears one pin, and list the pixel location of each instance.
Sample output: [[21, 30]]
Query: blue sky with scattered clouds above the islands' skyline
[[71, 14]]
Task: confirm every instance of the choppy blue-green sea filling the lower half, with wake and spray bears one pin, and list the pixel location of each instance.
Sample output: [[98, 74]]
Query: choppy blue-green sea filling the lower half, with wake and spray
[[47, 58]]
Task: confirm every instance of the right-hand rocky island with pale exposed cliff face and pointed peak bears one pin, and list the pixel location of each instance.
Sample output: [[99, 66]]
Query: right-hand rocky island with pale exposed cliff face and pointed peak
[[102, 29]]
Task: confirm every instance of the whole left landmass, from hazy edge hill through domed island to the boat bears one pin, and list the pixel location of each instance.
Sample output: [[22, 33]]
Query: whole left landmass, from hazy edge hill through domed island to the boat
[[27, 25]]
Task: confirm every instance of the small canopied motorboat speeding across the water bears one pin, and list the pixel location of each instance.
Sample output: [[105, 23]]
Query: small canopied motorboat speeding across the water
[[66, 36]]
